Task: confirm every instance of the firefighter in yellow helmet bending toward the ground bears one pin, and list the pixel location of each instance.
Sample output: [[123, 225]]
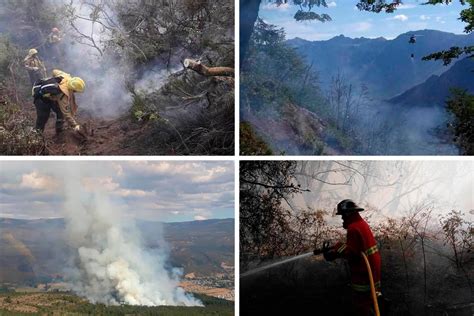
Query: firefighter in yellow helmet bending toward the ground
[[57, 94]]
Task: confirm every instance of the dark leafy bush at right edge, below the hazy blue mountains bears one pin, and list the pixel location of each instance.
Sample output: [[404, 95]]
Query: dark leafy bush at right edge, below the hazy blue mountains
[[461, 105]]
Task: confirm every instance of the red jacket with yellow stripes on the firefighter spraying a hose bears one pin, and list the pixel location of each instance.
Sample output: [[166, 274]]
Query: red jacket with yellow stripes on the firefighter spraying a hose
[[360, 239]]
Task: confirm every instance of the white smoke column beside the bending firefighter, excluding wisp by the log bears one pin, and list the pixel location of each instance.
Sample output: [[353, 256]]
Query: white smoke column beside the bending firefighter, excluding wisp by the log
[[106, 75]]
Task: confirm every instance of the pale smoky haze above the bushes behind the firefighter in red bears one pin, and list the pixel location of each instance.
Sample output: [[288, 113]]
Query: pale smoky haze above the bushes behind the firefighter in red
[[389, 188]]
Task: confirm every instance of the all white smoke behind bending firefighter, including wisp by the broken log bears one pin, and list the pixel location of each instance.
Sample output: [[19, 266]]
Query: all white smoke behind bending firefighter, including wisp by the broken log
[[91, 52]]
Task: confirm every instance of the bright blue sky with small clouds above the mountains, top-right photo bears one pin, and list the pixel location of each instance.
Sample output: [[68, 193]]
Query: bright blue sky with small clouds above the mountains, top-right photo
[[349, 21]]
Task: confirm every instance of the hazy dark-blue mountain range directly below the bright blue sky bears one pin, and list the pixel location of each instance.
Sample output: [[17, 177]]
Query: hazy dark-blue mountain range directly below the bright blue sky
[[384, 66]]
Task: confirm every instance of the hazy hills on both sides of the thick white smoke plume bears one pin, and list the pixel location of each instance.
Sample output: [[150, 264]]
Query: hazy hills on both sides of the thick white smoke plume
[[33, 250]]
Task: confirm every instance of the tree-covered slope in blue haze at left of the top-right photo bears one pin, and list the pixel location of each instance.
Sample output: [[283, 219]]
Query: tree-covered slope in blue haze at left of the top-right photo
[[275, 80]]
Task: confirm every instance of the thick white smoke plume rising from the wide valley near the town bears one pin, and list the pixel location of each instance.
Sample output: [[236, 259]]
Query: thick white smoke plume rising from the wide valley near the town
[[110, 263]]
